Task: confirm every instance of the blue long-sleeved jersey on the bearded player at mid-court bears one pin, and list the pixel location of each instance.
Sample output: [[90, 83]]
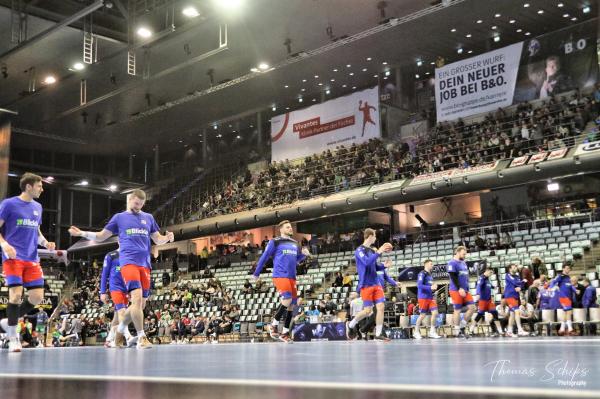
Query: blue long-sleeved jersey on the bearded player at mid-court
[[285, 253]]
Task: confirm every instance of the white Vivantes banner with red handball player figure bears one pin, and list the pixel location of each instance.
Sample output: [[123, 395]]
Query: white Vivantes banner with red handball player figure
[[342, 121]]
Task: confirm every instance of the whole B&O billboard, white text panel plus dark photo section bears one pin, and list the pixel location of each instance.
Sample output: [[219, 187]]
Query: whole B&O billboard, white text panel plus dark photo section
[[538, 68]]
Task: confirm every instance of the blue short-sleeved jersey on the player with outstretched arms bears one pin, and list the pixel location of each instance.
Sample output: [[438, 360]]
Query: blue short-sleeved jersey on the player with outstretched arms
[[134, 231]]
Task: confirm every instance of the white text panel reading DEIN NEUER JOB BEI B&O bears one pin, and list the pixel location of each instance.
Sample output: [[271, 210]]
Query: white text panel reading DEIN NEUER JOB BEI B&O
[[478, 84]]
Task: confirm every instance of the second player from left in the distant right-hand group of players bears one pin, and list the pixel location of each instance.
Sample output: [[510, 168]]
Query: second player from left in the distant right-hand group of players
[[459, 290]]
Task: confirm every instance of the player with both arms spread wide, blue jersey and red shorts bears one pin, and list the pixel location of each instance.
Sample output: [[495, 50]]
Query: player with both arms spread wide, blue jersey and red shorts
[[135, 229]]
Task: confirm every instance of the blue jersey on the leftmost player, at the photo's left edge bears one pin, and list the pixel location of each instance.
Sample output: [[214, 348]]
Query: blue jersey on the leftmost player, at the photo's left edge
[[22, 221]]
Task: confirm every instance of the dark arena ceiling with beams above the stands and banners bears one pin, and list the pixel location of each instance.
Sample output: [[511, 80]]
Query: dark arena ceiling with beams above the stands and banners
[[129, 114]]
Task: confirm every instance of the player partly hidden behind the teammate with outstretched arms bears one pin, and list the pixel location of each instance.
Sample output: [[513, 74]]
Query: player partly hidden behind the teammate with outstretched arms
[[112, 281]]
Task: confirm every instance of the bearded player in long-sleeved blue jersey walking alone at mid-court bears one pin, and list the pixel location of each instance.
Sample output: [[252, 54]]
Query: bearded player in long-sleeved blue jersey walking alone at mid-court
[[286, 255]]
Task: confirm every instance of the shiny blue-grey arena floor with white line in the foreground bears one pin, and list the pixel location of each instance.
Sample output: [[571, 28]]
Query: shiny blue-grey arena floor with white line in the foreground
[[501, 368]]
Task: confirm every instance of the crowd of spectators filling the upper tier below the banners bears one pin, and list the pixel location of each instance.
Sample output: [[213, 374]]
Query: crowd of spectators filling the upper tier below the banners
[[523, 129]]
